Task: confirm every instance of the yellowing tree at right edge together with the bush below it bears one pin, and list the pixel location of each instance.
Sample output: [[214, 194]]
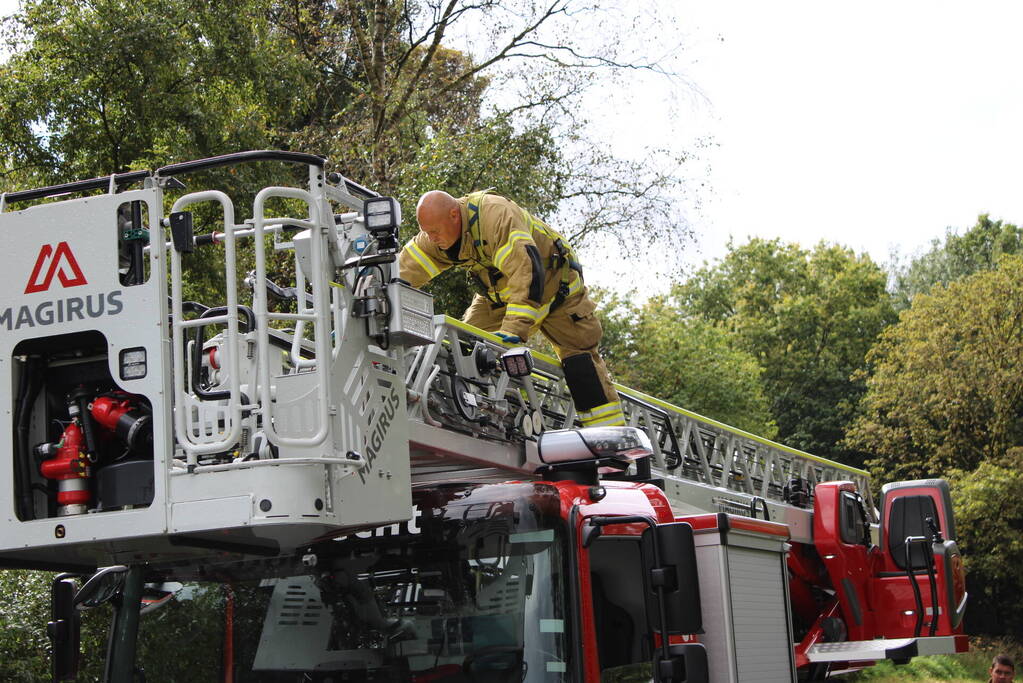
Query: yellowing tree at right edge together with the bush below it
[[945, 399]]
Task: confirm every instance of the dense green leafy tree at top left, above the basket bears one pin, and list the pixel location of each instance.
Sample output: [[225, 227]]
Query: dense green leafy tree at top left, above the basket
[[111, 85]]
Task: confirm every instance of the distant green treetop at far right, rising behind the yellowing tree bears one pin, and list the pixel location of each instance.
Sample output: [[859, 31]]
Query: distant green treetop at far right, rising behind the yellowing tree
[[980, 249]]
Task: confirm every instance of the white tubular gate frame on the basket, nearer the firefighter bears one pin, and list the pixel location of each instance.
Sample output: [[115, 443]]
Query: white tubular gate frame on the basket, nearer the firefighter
[[321, 318]]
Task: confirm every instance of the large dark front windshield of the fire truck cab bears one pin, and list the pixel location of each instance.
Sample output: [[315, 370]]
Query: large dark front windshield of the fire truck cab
[[473, 588]]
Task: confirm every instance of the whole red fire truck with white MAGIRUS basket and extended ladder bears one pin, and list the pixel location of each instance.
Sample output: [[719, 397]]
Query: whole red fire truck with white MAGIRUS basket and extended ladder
[[326, 482]]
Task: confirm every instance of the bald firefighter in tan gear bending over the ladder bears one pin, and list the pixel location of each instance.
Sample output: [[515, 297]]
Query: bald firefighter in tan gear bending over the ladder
[[528, 279]]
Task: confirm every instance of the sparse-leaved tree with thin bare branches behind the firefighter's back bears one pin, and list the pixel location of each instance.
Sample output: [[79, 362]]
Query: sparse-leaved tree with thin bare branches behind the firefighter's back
[[420, 116]]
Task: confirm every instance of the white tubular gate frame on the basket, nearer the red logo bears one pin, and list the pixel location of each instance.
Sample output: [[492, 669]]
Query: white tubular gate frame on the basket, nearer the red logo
[[185, 400]]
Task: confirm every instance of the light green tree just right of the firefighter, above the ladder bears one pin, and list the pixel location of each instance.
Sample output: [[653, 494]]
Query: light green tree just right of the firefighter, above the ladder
[[685, 361]]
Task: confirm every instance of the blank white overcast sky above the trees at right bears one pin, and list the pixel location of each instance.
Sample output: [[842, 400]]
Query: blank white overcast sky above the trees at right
[[871, 124]]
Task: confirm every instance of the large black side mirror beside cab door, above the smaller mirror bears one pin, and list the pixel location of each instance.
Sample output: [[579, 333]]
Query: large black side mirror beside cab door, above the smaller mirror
[[677, 574]]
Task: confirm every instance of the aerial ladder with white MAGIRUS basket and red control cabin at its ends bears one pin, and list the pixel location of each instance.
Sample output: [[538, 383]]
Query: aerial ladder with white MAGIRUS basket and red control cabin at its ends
[[321, 392]]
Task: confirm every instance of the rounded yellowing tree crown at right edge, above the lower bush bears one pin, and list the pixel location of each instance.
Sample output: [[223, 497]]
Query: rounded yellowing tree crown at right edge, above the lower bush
[[944, 388]]
